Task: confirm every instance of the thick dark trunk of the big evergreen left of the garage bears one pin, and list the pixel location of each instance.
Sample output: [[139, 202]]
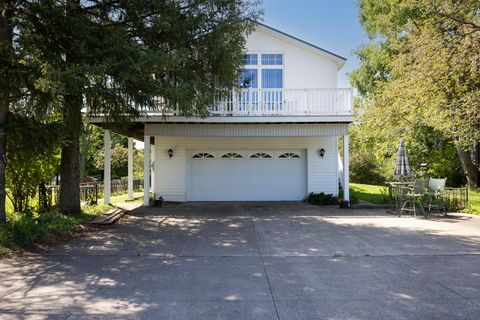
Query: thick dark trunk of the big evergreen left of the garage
[[70, 161]]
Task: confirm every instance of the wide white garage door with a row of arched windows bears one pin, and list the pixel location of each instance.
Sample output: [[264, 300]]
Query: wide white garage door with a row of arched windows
[[228, 175]]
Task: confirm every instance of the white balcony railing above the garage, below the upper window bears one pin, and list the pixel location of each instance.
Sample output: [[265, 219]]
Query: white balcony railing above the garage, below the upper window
[[285, 102]]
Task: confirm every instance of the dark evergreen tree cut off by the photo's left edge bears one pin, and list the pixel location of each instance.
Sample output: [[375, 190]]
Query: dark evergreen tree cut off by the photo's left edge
[[18, 72]]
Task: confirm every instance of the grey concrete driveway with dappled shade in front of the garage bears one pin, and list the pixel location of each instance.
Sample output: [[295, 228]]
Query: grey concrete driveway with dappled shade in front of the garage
[[253, 261]]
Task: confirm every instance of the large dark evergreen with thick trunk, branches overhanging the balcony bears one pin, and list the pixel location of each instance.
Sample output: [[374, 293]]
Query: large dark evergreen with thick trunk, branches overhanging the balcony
[[117, 57]]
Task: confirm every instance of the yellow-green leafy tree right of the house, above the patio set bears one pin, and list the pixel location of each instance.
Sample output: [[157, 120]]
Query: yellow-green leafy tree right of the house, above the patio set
[[420, 79]]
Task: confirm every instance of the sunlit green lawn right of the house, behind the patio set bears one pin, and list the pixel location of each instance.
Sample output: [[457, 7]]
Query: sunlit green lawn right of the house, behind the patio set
[[378, 194]]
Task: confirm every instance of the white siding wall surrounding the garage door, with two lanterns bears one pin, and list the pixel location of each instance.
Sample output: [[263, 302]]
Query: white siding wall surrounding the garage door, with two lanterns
[[171, 174]]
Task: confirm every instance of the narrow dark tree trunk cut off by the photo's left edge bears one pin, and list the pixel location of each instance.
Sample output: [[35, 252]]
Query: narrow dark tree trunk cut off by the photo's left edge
[[5, 42]]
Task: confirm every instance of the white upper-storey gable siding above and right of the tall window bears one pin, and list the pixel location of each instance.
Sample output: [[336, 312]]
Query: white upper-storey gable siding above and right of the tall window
[[302, 68]]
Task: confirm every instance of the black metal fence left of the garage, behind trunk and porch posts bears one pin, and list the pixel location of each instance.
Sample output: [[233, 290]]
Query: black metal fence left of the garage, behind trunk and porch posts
[[49, 196]]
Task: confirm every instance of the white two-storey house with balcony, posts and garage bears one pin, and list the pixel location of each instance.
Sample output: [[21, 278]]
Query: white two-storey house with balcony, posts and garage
[[276, 139]]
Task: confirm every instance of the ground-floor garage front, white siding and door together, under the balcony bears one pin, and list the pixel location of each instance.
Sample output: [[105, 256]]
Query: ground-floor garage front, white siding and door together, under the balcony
[[243, 168]]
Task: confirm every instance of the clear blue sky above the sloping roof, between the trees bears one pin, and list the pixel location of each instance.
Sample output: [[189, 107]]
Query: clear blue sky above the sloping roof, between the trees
[[329, 24]]
